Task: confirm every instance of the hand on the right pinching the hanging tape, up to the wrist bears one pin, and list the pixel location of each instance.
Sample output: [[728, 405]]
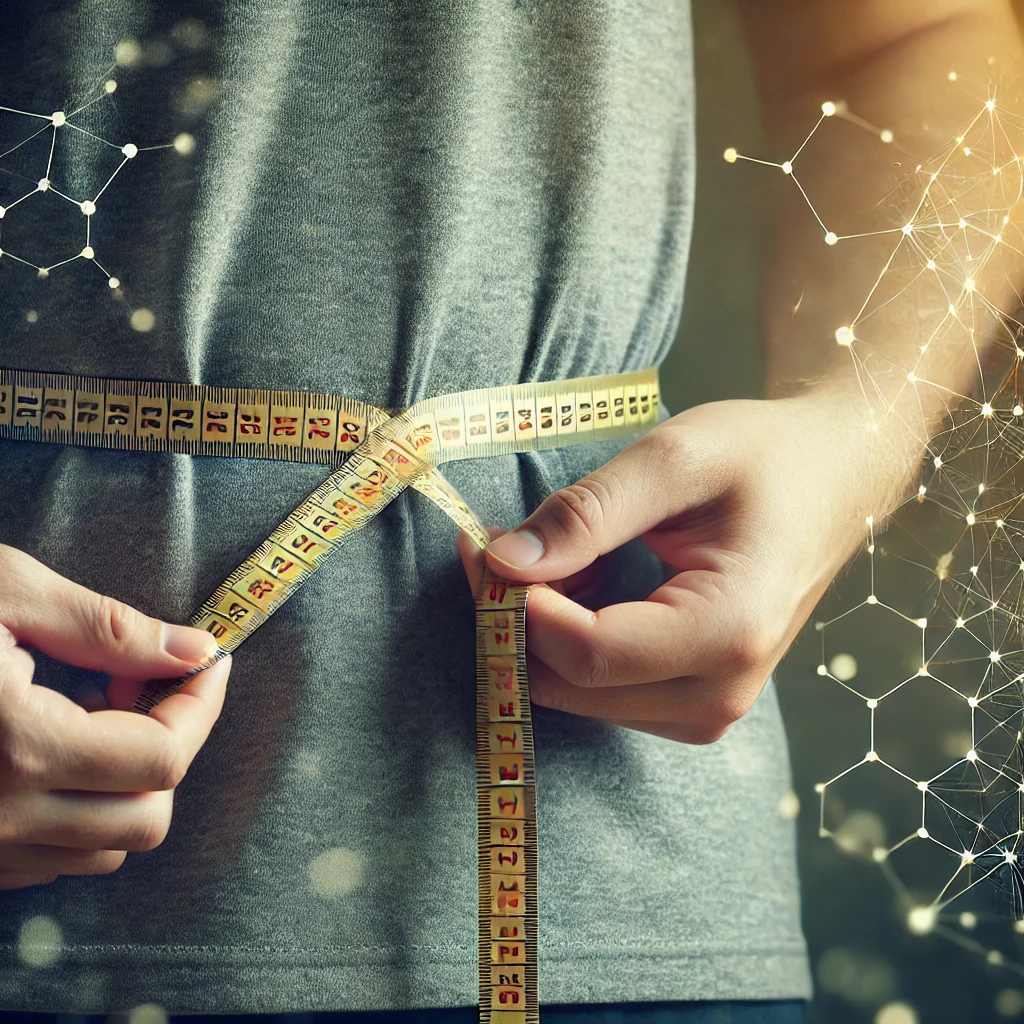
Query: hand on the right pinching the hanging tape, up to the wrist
[[756, 504]]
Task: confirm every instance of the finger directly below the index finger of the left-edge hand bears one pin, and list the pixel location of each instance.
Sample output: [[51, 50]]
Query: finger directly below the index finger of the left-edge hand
[[131, 822]]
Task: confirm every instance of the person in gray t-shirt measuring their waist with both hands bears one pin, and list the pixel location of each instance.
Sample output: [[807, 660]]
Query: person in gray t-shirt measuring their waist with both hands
[[391, 202]]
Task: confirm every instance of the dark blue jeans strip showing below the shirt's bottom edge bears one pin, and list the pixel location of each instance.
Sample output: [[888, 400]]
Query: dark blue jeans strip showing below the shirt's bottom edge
[[784, 1012]]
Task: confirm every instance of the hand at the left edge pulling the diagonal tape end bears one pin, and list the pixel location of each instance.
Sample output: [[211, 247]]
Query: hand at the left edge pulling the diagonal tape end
[[80, 789]]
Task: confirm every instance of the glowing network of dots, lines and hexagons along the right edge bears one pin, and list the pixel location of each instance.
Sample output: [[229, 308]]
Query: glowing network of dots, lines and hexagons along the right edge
[[943, 816]]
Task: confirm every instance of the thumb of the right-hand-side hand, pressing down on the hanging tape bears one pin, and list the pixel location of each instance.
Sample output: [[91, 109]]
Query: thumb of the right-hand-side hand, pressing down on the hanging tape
[[633, 493]]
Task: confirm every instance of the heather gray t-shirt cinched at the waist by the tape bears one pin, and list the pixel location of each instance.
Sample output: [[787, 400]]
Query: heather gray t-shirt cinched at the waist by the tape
[[392, 201]]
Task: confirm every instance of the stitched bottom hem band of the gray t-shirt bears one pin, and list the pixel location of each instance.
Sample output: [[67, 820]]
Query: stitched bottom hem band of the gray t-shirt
[[106, 979]]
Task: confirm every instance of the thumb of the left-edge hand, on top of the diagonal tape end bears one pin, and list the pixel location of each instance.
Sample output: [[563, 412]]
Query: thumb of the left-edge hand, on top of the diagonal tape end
[[75, 625]]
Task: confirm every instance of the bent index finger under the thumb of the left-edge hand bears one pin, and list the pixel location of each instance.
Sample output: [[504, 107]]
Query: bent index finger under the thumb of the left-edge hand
[[117, 750]]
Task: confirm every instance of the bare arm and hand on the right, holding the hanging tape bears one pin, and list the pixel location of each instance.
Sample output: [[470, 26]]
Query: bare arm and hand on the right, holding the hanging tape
[[756, 506]]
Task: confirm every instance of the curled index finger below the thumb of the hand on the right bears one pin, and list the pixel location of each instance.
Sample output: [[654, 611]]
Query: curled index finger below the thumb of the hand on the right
[[688, 627]]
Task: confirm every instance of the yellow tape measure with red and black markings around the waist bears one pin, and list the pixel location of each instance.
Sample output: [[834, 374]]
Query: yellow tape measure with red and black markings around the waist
[[375, 456]]
